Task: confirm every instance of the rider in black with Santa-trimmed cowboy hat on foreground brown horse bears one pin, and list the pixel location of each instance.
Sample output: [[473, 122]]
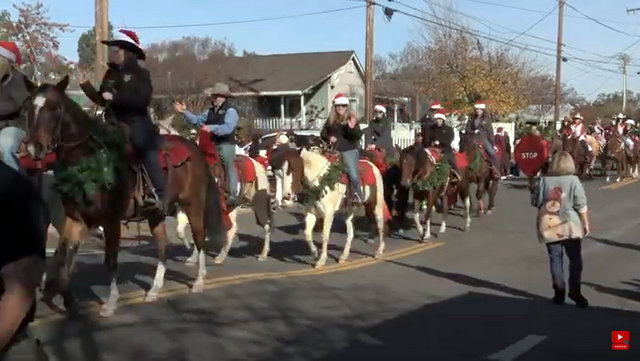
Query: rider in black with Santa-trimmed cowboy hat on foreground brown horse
[[126, 91]]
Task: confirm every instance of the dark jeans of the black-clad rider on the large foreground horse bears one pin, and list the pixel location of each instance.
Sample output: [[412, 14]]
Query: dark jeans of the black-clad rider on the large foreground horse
[[145, 141]]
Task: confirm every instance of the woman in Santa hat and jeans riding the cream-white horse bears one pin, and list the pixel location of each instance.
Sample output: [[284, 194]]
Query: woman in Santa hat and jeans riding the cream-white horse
[[342, 131]]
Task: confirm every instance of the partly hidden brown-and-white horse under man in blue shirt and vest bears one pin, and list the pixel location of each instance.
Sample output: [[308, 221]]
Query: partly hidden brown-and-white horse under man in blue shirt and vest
[[258, 195]]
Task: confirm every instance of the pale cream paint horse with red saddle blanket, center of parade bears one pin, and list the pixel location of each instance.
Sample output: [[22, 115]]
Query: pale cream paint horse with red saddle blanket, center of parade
[[330, 200]]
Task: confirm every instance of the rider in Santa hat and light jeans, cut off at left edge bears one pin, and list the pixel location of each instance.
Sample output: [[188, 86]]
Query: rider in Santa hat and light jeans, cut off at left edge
[[13, 94]]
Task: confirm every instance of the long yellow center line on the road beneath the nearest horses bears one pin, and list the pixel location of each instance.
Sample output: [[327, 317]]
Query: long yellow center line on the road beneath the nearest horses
[[137, 297]]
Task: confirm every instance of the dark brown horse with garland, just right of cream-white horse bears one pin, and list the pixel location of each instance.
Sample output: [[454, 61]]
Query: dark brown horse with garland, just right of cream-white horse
[[418, 166]]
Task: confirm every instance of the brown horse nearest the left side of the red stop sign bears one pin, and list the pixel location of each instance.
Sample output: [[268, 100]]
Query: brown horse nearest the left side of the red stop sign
[[478, 171]]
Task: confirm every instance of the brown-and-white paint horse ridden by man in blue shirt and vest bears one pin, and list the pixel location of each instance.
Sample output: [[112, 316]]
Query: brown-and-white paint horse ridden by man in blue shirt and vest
[[253, 188]]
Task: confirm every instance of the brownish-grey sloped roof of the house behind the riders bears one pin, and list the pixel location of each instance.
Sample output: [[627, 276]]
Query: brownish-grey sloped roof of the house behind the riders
[[296, 72]]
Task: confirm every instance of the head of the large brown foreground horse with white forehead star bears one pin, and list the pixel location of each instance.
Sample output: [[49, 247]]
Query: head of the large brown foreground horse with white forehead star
[[46, 117]]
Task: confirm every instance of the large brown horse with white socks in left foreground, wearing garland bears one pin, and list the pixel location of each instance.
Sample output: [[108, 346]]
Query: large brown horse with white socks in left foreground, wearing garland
[[58, 125]]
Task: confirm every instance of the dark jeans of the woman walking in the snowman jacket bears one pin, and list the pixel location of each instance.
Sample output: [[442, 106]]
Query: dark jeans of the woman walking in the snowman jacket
[[573, 249]]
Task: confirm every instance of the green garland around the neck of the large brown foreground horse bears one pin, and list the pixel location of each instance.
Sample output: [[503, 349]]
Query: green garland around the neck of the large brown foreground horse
[[92, 173]]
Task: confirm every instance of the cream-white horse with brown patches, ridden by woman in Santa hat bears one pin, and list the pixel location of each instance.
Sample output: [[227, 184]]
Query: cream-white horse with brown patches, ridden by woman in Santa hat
[[315, 166]]
